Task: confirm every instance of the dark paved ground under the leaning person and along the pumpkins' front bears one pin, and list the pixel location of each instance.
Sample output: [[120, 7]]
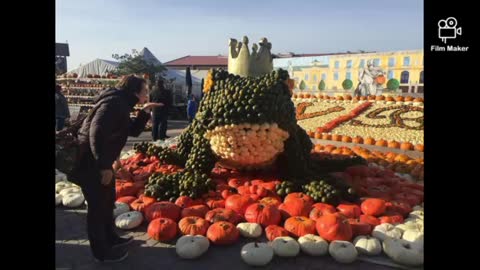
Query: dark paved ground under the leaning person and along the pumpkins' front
[[72, 252]]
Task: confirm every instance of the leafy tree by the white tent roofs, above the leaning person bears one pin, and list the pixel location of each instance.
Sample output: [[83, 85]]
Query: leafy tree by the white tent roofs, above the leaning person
[[135, 64]]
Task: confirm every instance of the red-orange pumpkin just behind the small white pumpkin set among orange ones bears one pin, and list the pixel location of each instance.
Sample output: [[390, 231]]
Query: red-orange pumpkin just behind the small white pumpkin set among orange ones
[[263, 214]]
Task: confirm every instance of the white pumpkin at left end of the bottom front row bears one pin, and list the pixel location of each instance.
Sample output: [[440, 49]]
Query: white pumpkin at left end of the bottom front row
[[191, 246]]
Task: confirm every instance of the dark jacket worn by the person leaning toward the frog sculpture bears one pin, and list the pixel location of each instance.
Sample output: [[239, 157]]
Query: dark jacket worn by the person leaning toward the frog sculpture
[[105, 134]]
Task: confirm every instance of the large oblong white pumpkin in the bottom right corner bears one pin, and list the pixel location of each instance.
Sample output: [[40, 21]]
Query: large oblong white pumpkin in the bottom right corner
[[402, 252]]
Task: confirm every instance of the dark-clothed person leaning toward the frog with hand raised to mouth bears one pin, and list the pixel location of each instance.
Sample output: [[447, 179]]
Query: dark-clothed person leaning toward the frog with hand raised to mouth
[[102, 137]]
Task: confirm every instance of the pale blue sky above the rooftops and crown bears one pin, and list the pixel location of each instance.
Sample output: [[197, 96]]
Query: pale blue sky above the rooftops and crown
[[175, 28]]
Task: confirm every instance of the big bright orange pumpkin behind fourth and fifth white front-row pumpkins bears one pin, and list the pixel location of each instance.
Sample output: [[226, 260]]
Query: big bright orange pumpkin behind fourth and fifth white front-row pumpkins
[[334, 227]]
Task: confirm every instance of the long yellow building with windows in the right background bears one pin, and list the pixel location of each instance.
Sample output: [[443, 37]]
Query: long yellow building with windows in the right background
[[405, 66]]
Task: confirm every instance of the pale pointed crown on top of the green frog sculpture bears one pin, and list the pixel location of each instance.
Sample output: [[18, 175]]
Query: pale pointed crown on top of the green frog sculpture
[[245, 64]]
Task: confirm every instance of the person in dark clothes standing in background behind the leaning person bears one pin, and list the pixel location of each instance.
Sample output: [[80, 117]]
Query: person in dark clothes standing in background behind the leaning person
[[160, 114]]
